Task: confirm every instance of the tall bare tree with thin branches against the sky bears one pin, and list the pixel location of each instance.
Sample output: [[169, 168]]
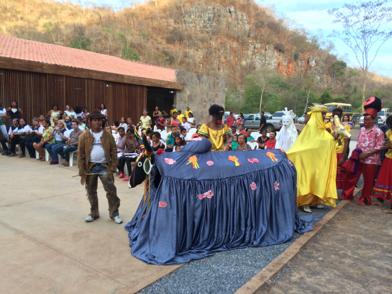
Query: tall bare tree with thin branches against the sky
[[365, 29]]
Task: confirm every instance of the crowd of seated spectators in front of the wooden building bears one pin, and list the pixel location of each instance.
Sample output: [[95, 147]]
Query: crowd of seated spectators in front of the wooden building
[[57, 133]]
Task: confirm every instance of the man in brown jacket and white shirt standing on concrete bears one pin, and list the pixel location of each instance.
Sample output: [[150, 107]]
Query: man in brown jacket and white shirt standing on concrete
[[98, 159]]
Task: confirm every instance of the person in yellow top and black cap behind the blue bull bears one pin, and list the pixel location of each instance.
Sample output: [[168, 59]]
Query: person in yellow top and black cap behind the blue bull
[[216, 131]]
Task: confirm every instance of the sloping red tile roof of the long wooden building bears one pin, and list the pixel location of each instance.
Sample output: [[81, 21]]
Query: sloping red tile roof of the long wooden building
[[11, 47]]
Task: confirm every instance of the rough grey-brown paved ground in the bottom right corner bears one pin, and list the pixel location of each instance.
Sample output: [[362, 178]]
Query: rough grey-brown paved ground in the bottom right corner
[[351, 254]]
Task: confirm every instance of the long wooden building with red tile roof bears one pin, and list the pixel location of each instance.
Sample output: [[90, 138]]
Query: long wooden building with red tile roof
[[39, 75]]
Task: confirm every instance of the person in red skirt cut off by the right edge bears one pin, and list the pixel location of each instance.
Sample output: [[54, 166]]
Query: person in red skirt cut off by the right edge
[[383, 186]]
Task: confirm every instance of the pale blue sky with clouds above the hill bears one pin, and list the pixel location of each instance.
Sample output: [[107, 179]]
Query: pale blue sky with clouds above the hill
[[310, 15]]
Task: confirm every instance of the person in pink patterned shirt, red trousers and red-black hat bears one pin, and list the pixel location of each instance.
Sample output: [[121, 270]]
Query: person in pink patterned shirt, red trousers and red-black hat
[[371, 143]]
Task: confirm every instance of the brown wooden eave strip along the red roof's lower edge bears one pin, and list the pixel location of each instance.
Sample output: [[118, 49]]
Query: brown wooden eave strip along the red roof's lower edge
[[39, 67]]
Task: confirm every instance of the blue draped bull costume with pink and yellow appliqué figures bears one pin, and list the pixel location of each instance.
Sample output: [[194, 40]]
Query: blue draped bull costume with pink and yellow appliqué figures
[[198, 202]]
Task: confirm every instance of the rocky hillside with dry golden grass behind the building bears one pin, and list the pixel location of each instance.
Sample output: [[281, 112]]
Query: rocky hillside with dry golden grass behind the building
[[229, 38]]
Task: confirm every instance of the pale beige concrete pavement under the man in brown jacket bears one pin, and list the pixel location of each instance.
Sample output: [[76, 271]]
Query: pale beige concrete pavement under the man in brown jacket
[[45, 245]]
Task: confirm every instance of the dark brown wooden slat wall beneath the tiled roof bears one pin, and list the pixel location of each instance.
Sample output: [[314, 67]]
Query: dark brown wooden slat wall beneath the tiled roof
[[36, 93]]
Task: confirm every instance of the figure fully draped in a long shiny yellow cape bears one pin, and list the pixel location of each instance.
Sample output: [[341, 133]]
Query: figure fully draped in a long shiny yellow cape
[[314, 157]]
